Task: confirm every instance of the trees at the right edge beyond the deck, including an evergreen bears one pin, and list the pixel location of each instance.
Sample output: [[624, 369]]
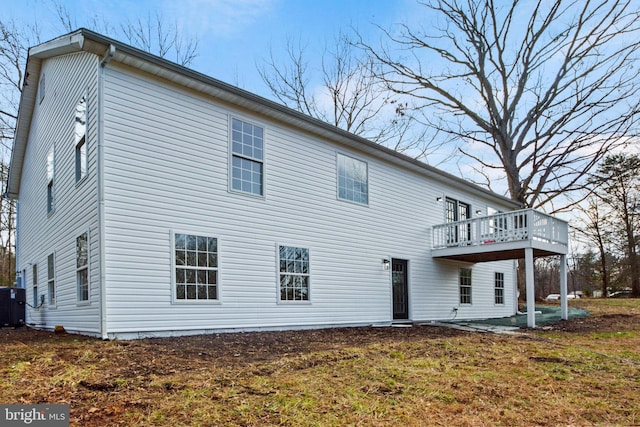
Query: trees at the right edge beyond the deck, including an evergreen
[[609, 227]]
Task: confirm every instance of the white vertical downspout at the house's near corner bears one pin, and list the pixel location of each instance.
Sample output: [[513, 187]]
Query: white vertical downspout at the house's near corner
[[100, 191]]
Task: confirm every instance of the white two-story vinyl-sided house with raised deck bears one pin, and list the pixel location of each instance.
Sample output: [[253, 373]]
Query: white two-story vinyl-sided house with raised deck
[[154, 201]]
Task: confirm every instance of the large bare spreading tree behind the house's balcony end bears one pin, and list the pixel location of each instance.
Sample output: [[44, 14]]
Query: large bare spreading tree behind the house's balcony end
[[537, 92]]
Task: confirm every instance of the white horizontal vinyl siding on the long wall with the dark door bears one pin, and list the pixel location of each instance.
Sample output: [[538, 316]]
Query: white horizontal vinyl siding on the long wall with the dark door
[[183, 184]]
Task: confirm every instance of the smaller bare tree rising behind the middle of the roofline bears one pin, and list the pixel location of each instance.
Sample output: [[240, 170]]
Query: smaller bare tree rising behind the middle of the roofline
[[348, 96]]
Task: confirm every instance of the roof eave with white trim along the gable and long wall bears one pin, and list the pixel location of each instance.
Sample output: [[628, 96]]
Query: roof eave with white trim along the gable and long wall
[[90, 41]]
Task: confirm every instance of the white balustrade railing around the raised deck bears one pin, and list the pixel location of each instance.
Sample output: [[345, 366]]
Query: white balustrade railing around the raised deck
[[526, 224]]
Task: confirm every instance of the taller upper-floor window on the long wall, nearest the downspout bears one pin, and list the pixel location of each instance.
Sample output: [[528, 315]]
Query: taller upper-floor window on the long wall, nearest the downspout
[[247, 158]]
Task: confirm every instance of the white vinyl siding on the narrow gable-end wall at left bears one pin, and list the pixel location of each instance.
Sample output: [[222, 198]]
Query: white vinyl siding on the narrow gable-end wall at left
[[69, 78]]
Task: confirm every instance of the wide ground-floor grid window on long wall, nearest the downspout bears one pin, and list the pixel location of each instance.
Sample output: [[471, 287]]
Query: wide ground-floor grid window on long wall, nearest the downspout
[[196, 267]]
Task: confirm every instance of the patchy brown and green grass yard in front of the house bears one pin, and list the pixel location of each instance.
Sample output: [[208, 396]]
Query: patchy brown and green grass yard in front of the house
[[579, 372]]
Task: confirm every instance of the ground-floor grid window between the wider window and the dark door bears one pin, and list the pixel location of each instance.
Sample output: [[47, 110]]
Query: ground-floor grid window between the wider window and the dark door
[[294, 273]]
